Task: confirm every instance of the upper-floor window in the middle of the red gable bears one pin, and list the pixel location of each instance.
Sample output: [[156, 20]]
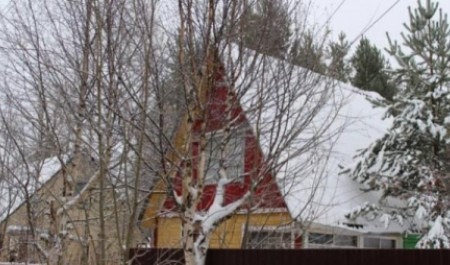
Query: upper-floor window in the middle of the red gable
[[233, 155]]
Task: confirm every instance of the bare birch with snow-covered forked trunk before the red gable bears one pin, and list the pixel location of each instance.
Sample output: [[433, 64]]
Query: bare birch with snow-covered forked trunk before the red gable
[[287, 109]]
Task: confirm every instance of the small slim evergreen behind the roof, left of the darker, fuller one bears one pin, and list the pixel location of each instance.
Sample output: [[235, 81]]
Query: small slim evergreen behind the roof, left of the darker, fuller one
[[337, 51]]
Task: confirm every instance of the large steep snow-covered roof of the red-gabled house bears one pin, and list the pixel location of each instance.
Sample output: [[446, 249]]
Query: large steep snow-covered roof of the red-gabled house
[[279, 98]]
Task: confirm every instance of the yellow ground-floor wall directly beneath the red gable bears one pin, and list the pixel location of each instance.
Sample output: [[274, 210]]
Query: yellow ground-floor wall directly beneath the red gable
[[227, 235]]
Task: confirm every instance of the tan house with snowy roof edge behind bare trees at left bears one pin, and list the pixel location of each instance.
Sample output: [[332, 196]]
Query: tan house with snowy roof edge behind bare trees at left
[[56, 213]]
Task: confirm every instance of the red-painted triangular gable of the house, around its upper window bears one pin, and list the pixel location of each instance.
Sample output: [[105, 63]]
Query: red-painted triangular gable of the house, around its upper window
[[266, 194]]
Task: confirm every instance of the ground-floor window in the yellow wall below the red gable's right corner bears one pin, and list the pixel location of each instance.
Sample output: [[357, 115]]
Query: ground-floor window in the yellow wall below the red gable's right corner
[[269, 240]]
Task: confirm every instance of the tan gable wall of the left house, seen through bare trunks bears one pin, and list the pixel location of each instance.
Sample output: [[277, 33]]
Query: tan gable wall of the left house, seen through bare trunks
[[84, 221]]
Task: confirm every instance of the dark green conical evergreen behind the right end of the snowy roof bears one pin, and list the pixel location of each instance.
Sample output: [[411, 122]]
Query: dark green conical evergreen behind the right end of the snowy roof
[[370, 70]]
